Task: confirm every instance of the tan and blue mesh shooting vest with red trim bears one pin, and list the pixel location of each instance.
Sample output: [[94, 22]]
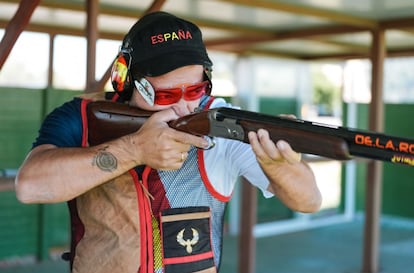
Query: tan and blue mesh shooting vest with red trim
[[148, 221]]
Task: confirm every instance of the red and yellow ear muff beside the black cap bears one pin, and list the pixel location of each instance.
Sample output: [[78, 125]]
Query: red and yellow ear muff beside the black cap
[[120, 77]]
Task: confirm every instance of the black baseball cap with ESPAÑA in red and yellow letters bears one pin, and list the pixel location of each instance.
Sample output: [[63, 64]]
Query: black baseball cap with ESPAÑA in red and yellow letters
[[160, 42]]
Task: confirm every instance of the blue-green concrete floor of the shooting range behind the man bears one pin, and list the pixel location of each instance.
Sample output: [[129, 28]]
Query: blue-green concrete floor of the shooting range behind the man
[[331, 249]]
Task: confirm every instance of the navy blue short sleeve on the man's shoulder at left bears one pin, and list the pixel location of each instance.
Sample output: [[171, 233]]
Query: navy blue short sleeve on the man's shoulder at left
[[63, 126]]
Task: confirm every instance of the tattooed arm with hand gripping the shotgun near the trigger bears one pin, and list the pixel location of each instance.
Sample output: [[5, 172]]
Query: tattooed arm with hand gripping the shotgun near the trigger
[[52, 174]]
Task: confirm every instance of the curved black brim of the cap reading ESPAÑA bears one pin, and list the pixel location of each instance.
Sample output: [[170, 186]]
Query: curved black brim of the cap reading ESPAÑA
[[170, 61]]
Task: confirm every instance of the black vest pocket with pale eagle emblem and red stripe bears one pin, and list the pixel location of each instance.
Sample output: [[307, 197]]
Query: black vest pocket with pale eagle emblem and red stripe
[[186, 240]]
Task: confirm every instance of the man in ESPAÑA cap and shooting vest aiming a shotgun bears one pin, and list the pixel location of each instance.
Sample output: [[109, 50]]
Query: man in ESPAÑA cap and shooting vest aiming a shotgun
[[153, 200]]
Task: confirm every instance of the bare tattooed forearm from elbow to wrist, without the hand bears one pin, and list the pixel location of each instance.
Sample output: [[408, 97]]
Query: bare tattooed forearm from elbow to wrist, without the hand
[[51, 174]]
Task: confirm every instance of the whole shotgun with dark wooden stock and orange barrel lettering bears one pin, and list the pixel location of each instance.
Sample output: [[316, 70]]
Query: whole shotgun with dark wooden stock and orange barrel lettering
[[110, 120]]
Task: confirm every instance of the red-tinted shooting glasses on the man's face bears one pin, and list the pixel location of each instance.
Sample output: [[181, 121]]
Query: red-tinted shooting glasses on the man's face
[[173, 95]]
